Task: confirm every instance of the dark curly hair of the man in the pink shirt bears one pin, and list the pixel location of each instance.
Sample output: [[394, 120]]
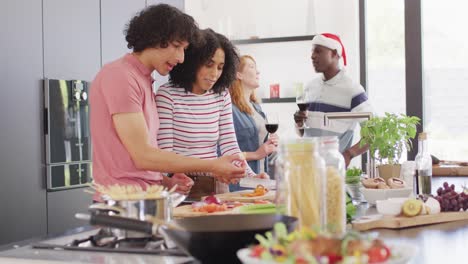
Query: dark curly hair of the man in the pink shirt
[[158, 25]]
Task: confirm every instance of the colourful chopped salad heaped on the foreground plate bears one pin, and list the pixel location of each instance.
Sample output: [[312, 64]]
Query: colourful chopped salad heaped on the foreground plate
[[309, 246]]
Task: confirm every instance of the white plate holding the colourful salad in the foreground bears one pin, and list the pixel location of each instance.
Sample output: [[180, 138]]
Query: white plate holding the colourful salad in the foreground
[[401, 253]]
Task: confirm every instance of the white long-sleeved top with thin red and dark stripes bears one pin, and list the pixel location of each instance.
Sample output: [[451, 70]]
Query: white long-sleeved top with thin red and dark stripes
[[196, 125]]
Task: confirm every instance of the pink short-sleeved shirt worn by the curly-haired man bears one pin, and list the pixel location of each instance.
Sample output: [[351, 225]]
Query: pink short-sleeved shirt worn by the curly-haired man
[[122, 86]]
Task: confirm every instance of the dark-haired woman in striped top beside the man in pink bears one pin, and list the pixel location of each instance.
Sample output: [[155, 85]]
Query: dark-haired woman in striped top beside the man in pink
[[195, 109]]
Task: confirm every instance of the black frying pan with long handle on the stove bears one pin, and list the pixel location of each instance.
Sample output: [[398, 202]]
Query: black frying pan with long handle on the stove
[[210, 239]]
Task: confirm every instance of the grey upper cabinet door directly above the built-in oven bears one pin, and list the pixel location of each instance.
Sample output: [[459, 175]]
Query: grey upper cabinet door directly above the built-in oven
[[72, 46]]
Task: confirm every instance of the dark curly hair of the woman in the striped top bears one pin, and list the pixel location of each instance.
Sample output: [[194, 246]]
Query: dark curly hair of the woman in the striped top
[[184, 75]]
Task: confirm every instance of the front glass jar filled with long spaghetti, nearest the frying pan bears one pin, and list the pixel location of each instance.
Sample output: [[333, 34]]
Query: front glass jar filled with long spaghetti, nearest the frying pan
[[300, 182]]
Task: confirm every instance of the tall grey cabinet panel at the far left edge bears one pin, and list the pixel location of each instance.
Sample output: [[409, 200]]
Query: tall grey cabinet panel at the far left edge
[[22, 179]]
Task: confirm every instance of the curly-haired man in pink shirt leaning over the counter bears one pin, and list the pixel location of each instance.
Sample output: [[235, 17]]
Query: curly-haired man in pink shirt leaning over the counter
[[124, 120]]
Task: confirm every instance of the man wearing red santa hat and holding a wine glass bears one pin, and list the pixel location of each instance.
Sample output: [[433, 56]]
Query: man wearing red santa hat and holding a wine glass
[[334, 91]]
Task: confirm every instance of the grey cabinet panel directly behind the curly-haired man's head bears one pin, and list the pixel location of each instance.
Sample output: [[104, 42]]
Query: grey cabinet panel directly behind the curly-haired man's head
[[115, 15]]
